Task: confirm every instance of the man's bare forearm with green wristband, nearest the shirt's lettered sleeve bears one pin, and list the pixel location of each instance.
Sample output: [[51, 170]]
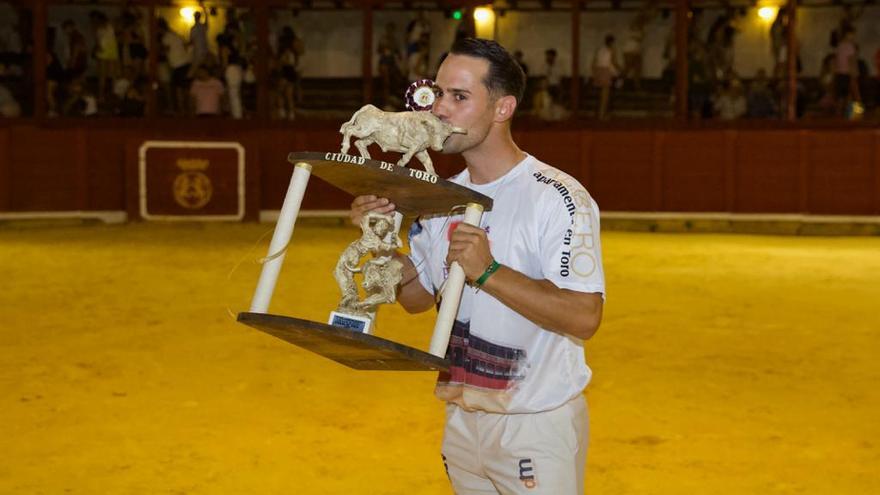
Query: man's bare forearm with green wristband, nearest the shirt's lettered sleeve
[[560, 310]]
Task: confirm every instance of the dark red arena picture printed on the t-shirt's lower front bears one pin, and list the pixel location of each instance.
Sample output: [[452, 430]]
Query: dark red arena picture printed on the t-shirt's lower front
[[480, 363]]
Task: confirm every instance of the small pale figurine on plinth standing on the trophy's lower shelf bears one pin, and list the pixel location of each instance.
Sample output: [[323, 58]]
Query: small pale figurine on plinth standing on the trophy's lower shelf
[[381, 273]]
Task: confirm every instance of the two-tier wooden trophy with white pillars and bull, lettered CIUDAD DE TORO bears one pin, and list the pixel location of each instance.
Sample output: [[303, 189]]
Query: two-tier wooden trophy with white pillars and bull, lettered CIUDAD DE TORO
[[347, 337]]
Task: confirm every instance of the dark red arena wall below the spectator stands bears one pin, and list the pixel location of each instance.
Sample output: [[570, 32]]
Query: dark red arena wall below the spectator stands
[[832, 171]]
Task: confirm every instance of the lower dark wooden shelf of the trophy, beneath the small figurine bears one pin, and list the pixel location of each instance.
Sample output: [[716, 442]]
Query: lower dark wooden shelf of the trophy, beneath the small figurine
[[349, 347]]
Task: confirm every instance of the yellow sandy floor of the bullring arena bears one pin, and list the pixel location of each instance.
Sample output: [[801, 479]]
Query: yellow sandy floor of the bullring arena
[[725, 365]]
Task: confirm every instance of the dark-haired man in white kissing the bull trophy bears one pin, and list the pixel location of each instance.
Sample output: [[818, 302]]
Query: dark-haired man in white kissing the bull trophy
[[516, 419]]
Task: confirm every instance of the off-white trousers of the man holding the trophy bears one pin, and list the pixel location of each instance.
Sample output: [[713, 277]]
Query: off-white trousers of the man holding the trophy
[[539, 453]]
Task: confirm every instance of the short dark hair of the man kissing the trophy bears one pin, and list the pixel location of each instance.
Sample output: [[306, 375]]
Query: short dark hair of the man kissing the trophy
[[505, 76]]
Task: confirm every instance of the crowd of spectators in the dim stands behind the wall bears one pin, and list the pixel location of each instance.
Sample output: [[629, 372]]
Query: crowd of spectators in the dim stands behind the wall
[[103, 68]]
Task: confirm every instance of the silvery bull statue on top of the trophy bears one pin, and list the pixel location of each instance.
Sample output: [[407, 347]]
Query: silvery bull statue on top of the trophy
[[410, 133]]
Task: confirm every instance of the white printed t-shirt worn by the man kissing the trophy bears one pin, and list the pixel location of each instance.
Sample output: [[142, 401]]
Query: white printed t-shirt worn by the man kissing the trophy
[[544, 225]]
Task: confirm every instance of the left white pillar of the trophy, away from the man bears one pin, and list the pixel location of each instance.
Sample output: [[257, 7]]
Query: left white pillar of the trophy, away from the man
[[280, 239]]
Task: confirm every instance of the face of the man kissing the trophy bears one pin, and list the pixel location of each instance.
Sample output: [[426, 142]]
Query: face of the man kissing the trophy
[[463, 100]]
